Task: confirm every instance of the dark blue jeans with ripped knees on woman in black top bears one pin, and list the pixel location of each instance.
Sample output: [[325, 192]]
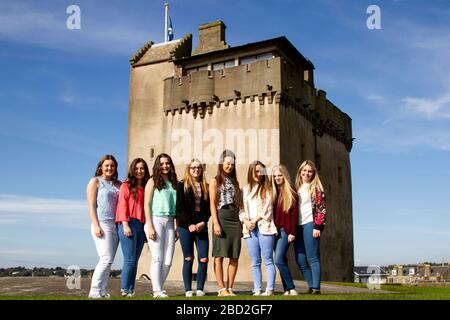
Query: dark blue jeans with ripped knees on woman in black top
[[187, 240]]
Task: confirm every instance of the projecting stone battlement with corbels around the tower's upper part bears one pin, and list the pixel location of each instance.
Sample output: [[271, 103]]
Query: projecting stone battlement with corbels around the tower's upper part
[[267, 81]]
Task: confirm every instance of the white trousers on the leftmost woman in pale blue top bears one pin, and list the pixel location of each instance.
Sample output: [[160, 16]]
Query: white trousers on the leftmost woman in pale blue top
[[106, 249]]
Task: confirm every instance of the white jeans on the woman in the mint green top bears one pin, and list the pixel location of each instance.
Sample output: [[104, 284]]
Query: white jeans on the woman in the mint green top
[[161, 250]]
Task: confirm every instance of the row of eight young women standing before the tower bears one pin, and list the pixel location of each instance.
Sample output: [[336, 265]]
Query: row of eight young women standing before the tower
[[269, 213]]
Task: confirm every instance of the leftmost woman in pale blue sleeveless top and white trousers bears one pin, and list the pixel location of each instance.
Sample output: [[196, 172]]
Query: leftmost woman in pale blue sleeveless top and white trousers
[[102, 195]]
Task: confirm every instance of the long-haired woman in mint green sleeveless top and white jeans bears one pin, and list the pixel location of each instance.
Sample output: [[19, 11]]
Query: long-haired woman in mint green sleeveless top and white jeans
[[160, 213]]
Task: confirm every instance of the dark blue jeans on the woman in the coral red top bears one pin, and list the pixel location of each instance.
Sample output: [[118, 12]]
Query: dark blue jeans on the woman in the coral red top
[[131, 250]]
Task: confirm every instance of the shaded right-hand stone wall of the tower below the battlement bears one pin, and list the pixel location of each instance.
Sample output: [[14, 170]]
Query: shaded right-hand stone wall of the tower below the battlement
[[298, 143]]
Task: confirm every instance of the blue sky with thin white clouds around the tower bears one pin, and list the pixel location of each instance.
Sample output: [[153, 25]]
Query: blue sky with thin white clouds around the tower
[[64, 99]]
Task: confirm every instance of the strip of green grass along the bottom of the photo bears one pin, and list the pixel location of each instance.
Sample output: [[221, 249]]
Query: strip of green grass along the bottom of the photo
[[397, 292]]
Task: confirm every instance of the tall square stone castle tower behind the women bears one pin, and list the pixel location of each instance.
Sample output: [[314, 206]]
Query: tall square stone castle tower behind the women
[[258, 100]]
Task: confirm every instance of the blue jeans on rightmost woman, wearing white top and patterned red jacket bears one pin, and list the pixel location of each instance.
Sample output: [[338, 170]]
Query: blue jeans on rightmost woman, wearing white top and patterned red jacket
[[307, 253]]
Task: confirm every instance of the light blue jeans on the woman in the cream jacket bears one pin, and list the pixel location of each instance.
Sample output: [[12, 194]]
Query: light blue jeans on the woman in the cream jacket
[[258, 244]]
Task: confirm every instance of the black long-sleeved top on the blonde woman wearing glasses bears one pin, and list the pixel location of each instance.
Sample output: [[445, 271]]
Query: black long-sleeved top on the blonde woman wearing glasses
[[186, 207]]
